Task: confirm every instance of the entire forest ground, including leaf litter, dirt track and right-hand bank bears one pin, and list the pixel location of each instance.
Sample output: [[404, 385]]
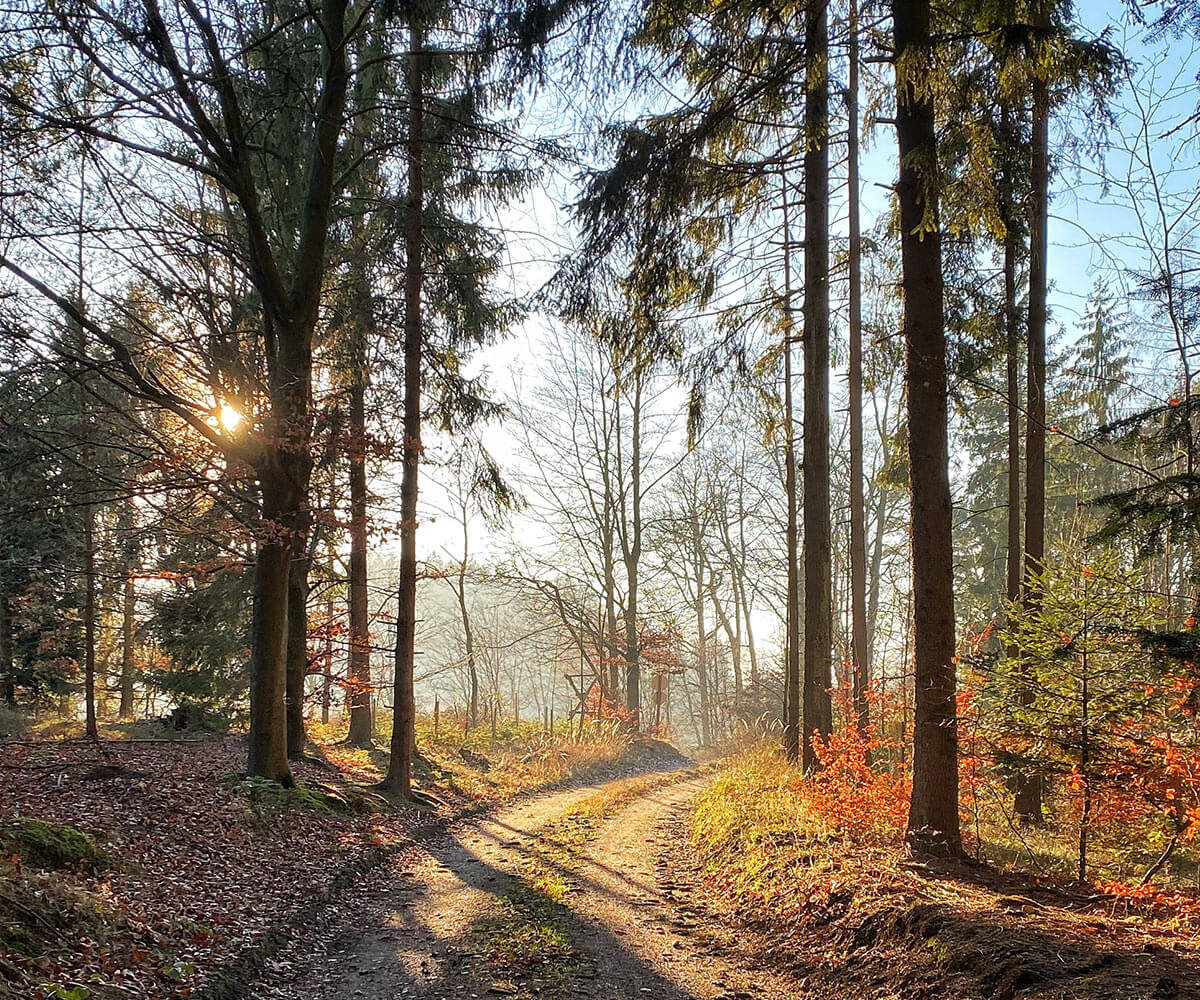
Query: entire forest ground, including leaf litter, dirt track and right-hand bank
[[526, 883]]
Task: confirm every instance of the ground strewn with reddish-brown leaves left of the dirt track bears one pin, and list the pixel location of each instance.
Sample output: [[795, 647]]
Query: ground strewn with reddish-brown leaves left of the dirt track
[[152, 869]]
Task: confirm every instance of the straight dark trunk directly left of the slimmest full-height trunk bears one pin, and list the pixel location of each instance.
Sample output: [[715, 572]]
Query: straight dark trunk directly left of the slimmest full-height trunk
[[818, 547]]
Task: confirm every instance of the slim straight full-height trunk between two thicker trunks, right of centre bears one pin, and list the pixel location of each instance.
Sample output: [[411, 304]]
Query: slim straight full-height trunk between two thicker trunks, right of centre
[[861, 663]]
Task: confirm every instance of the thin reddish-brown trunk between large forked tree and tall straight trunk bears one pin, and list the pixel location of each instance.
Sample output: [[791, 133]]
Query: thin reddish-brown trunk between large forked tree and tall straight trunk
[[362, 732]]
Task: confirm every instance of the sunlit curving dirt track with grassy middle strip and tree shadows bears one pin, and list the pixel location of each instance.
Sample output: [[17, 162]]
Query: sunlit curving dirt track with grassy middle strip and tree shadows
[[567, 895]]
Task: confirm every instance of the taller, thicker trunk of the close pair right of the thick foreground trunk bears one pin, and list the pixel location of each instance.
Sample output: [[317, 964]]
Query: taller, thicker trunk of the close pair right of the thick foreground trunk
[[1028, 801]]
